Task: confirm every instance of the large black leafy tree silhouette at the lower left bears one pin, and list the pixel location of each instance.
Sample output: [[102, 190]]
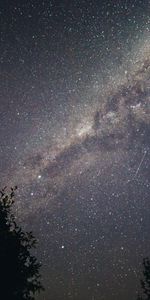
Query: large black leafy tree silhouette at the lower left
[[19, 270]]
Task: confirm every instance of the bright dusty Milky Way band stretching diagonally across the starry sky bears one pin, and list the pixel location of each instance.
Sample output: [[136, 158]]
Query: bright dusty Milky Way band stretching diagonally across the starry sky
[[119, 126]]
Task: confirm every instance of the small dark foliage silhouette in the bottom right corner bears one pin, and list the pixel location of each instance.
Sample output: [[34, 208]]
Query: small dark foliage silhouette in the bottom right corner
[[145, 282]]
